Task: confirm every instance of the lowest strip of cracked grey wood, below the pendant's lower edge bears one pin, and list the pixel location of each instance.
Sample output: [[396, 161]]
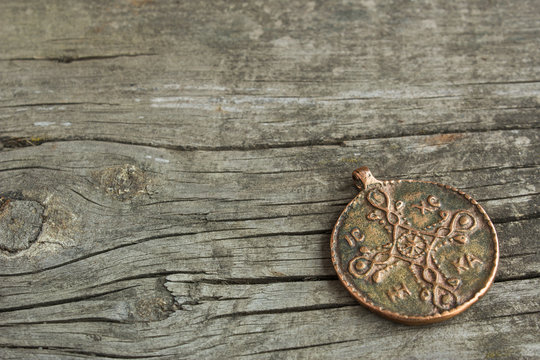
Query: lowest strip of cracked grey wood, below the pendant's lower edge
[[318, 319]]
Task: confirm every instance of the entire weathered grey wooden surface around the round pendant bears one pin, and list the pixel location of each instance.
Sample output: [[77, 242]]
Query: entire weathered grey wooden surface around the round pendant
[[174, 169]]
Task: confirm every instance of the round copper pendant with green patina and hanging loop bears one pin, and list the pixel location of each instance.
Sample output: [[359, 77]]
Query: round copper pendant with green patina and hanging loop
[[415, 252]]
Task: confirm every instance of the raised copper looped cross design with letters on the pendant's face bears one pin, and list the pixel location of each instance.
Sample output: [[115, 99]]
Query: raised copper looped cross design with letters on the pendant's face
[[414, 247]]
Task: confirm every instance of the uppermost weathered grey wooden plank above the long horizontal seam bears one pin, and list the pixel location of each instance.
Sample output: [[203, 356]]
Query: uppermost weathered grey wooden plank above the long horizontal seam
[[183, 75]]
